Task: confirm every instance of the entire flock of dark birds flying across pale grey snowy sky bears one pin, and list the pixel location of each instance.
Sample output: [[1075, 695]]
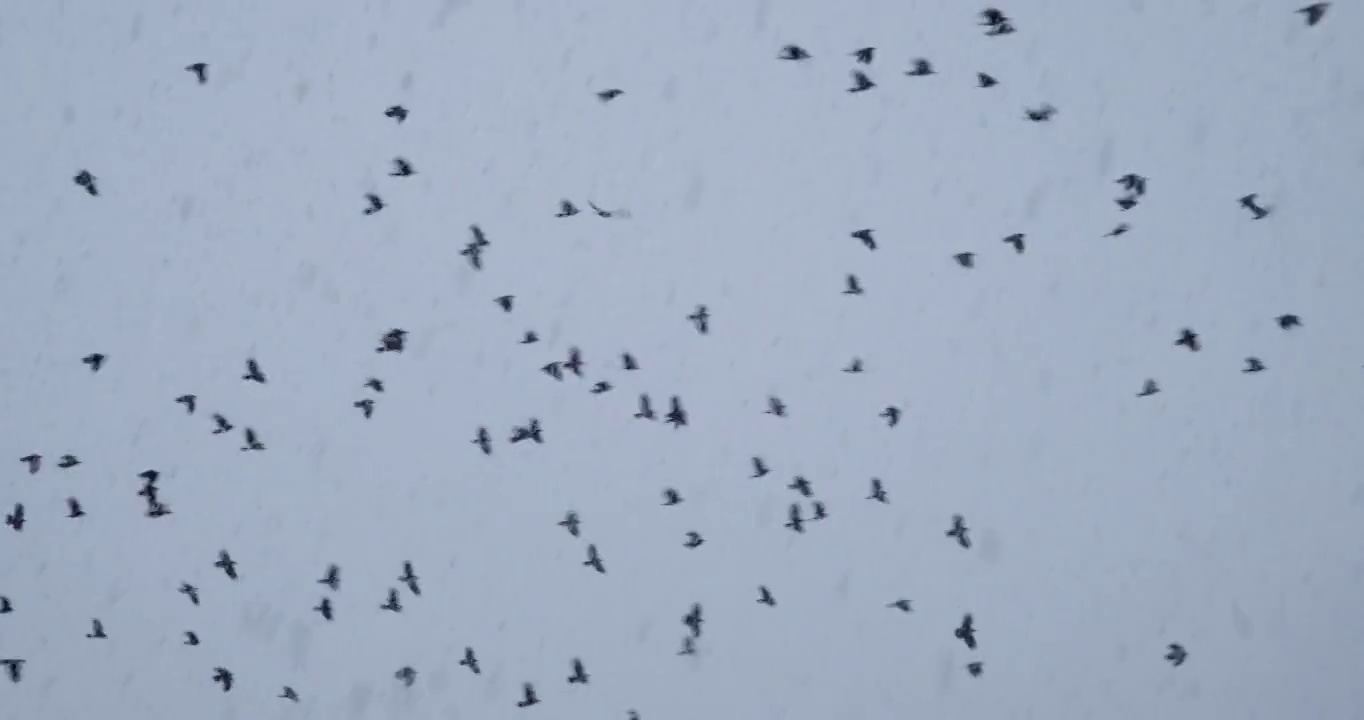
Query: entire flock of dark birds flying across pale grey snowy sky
[[799, 516]]
